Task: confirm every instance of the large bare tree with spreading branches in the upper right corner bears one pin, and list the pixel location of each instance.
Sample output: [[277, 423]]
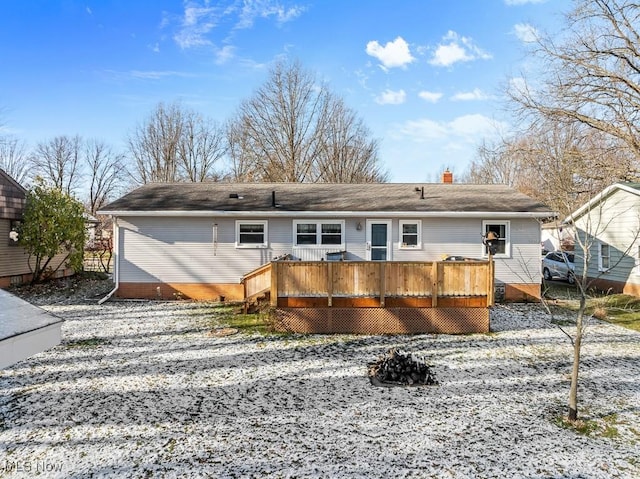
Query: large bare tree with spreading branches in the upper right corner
[[590, 74]]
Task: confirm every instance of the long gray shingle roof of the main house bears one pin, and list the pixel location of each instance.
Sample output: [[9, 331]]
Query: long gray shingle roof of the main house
[[382, 197]]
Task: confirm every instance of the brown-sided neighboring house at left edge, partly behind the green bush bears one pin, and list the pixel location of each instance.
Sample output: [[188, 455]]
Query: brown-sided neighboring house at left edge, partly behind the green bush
[[14, 260]]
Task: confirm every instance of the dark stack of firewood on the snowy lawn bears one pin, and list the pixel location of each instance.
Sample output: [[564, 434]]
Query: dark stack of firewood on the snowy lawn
[[401, 368]]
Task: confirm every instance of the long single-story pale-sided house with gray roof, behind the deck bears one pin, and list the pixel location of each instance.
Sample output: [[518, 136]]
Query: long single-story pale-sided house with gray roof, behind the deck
[[197, 240]]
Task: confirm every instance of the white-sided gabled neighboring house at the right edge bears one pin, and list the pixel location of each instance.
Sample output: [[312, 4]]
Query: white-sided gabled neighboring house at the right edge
[[609, 225]]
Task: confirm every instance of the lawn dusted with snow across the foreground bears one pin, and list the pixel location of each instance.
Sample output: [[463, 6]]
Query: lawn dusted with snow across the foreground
[[143, 389]]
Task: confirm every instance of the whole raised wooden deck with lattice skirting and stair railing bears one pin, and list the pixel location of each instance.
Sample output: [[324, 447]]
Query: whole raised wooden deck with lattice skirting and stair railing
[[377, 297]]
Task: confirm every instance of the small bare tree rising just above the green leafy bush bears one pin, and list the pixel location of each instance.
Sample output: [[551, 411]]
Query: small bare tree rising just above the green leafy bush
[[58, 162]]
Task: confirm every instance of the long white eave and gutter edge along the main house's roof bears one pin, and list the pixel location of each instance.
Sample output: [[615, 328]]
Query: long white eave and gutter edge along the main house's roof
[[345, 214]]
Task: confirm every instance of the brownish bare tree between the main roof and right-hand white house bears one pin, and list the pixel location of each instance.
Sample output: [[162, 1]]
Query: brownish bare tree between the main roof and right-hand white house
[[562, 165]]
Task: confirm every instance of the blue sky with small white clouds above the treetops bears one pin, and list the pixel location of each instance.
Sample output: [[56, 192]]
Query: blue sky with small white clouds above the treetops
[[425, 75]]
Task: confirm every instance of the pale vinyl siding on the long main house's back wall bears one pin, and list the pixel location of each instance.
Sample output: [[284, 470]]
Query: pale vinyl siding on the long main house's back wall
[[182, 250]]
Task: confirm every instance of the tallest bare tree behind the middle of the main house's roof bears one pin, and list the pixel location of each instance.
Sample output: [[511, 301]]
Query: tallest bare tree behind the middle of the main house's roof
[[293, 129]]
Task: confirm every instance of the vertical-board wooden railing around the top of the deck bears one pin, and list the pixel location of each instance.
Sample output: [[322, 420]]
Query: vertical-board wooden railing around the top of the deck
[[380, 280]]
